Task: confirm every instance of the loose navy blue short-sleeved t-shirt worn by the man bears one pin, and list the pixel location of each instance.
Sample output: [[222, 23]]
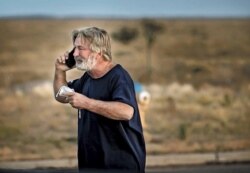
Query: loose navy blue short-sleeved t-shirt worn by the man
[[104, 143]]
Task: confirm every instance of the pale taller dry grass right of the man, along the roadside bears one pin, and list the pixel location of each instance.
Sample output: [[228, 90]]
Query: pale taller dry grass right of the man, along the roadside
[[198, 120]]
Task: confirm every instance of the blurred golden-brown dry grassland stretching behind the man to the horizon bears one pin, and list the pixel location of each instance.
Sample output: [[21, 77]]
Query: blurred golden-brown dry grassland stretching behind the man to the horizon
[[199, 85]]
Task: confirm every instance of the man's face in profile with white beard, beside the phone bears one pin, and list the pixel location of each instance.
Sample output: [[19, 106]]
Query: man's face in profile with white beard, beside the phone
[[85, 58]]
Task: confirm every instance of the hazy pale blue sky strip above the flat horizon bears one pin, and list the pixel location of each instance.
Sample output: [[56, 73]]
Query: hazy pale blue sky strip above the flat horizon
[[126, 8]]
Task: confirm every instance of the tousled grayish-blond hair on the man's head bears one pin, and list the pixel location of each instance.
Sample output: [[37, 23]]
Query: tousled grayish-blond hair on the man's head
[[98, 38]]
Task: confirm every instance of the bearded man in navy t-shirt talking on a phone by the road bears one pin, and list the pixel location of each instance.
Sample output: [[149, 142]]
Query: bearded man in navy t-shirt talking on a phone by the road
[[109, 127]]
